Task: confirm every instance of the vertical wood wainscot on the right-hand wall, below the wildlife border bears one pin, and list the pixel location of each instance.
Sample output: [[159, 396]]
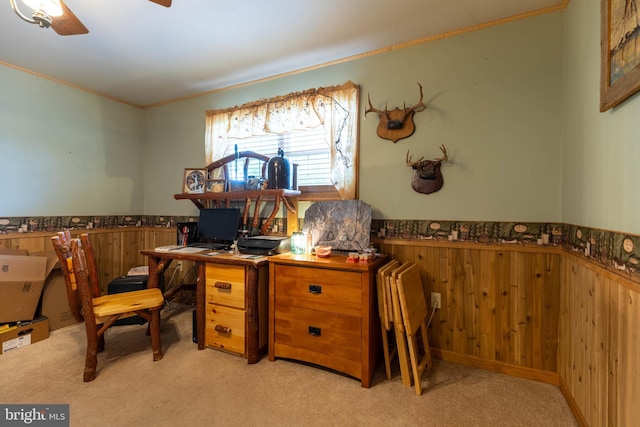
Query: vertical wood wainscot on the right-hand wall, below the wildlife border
[[598, 354]]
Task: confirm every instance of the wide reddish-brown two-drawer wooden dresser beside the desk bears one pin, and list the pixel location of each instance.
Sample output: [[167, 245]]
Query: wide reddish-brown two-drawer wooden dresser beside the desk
[[324, 311]]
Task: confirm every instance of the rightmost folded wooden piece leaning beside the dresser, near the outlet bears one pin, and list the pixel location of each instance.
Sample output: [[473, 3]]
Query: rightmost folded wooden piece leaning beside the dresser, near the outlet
[[413, 306]]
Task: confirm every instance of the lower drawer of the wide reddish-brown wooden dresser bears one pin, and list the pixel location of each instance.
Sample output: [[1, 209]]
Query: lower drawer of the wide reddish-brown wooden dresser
[[331, 334]]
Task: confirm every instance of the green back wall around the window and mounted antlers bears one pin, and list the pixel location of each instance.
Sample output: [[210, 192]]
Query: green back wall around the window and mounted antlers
[[495, 103]]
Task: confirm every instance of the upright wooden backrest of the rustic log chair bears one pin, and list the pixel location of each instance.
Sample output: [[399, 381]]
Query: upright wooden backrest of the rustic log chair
[[62, 247]]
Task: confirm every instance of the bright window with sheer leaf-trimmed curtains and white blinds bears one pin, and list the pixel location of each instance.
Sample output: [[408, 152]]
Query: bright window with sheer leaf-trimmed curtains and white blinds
[[317, 129]]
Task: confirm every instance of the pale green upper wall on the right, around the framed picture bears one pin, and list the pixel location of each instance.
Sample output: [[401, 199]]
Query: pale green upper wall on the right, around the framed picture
[[601, 151]]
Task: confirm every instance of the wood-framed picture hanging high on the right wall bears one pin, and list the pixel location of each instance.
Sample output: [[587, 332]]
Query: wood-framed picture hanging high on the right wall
[[620, 52]]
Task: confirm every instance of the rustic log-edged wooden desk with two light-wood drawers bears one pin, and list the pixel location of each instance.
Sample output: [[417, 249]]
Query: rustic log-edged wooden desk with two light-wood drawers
[[227, 286]]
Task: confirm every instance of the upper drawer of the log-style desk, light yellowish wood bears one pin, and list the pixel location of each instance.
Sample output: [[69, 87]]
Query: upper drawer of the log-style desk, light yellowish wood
[[225, 285]]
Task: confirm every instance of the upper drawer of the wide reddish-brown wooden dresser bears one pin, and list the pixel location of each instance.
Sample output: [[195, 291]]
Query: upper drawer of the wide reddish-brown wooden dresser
[[320, 289]]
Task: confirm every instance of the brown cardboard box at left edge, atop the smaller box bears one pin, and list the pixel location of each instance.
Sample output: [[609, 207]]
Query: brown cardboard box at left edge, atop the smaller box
[[22, 279]]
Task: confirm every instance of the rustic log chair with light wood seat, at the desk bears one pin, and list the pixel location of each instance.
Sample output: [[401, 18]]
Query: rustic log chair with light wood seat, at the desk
[[99, 313]]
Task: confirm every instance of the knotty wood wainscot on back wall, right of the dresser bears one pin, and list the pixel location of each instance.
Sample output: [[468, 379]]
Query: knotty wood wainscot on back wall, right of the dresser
[[496, 304]]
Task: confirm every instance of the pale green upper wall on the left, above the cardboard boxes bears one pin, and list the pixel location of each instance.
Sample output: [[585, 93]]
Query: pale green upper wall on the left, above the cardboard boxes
[[64, 151]]
